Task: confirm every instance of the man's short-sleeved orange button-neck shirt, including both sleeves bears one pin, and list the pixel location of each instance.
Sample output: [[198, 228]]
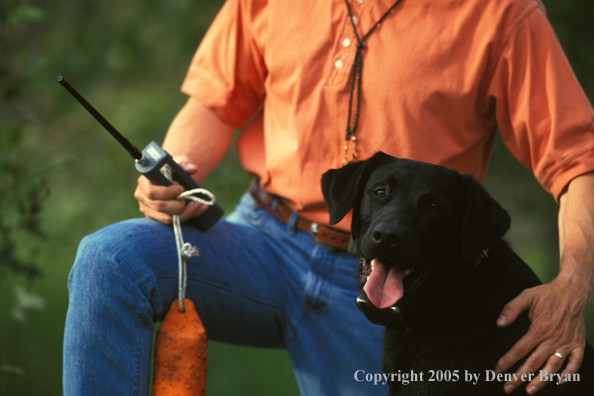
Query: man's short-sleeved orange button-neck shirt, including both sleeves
[[439, 79]]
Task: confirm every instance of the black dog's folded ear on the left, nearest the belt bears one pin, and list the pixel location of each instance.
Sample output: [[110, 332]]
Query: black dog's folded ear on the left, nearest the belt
[[342, 187]]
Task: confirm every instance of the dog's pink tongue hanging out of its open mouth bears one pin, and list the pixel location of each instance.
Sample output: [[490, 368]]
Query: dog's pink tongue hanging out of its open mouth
[[384, 288]]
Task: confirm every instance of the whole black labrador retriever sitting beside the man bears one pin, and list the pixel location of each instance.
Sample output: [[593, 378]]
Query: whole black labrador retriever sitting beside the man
[[436, 273]]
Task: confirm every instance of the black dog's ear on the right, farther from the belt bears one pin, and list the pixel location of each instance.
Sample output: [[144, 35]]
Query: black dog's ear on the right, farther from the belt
[[484, 220]]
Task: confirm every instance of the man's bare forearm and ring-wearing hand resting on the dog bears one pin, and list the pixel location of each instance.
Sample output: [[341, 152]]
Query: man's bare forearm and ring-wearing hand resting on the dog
[[558, 310]]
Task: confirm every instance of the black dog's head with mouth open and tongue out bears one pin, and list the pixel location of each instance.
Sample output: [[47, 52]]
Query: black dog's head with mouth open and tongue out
[[418, 228]]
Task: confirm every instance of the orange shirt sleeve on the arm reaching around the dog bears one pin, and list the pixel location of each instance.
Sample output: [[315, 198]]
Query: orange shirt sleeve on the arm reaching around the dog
[[544, 116]]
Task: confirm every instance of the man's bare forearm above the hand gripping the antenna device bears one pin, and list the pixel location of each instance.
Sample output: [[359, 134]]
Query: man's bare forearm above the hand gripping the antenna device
[[198, 134]]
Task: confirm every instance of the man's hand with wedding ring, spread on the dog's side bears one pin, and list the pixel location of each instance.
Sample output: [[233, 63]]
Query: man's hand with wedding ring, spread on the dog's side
[[557, 311]]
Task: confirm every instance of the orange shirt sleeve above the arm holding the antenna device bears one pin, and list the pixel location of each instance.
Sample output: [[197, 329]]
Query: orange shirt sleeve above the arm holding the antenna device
[[228, 71]]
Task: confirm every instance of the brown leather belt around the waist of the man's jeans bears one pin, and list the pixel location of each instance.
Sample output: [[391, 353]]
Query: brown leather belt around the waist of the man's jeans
[[276, 207]]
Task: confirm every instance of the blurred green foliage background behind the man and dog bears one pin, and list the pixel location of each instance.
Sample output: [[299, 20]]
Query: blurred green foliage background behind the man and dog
[[62, 176]]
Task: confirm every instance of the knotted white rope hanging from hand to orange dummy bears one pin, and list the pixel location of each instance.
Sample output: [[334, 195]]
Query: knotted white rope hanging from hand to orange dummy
[[184, 249]]
